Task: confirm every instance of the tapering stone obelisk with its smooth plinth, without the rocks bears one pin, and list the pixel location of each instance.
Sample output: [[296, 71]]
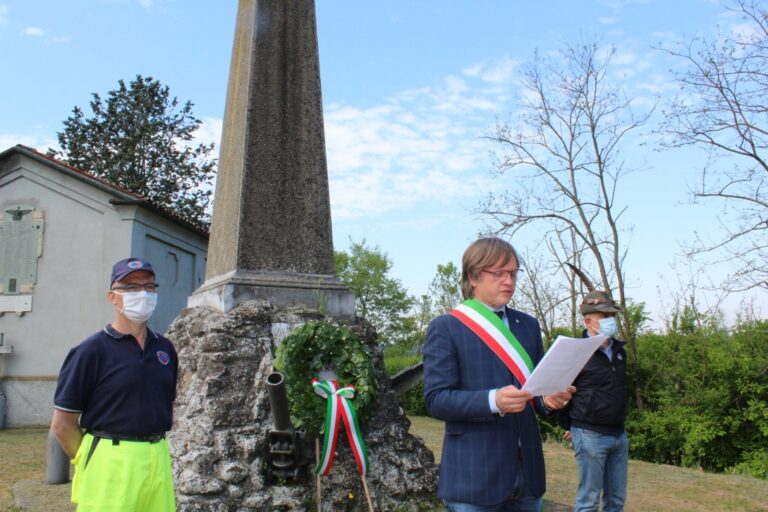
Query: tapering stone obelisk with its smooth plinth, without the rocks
[[271, 228]]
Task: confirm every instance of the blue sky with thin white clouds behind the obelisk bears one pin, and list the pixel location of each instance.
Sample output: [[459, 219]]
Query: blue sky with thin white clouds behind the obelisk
[[409, 89]]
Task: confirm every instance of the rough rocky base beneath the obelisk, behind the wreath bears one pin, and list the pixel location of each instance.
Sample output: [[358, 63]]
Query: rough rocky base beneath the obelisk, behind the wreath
[[223, 424]]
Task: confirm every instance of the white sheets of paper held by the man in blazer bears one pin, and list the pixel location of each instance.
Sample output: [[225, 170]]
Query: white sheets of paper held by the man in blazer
[[561, 364]]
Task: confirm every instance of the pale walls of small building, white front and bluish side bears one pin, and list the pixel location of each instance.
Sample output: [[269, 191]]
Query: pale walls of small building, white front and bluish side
[[84, 235]]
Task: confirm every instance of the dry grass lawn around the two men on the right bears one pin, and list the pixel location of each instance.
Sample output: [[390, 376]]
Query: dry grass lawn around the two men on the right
[[652, 487]]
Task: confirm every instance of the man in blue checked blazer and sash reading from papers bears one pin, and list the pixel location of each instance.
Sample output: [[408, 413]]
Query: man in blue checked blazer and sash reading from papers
[[492, 458]]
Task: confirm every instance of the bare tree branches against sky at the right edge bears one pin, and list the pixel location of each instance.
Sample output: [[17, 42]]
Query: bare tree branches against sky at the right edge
[[723, 109]]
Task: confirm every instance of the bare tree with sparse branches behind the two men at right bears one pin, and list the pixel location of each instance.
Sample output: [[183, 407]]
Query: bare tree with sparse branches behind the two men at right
[[562, 163]]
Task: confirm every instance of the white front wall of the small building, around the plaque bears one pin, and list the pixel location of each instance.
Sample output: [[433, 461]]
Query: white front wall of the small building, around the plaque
[[82, 237]]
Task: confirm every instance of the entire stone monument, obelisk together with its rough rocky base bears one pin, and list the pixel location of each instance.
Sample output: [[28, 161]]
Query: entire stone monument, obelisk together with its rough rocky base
[[271, 249]]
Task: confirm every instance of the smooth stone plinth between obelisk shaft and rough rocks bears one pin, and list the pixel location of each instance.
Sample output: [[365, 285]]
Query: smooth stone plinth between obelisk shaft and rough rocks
[[324, 293]]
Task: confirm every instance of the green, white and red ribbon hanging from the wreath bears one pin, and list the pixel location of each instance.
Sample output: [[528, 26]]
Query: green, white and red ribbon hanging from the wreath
[[339, 409]]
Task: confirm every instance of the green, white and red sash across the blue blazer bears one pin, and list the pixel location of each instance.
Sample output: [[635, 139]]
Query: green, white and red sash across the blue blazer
[[494, 333]]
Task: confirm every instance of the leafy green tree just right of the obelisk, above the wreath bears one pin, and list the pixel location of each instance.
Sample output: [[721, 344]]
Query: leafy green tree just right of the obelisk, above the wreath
[[379, 298]]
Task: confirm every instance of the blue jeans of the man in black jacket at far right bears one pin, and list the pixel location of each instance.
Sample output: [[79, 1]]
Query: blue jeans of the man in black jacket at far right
[[602, 462]]
